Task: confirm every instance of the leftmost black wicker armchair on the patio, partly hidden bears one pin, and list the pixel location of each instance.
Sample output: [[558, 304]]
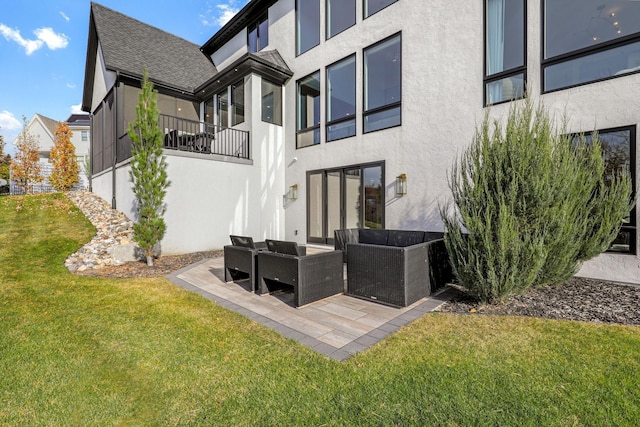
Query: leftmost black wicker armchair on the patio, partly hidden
[[240, 259]]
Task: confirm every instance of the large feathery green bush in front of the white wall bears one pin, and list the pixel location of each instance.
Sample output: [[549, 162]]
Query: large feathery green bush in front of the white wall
[[530, 205]]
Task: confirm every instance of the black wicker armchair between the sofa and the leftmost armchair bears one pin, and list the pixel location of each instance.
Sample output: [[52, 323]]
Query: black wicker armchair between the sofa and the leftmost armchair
[[313, 277]]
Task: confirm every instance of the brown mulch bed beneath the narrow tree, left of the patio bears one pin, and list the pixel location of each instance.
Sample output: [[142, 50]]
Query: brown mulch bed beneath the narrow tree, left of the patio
[[161, 266]]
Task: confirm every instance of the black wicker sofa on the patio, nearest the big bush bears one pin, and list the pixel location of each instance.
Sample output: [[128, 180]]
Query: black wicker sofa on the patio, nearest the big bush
[[394, 267]]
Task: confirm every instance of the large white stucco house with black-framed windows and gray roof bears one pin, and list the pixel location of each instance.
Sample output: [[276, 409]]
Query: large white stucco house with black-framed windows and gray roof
[[300, 117]]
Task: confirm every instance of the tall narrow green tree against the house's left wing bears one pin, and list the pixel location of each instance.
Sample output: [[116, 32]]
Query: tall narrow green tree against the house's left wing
[[148, 172]]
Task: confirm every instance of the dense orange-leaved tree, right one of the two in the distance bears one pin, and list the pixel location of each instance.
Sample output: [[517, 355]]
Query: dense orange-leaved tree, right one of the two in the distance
[[65, 172]]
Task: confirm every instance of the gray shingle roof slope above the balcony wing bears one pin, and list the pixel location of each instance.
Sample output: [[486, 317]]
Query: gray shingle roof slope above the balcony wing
[[129, 45]]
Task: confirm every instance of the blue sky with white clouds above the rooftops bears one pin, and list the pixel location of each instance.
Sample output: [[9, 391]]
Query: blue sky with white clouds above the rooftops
[[43, 46]]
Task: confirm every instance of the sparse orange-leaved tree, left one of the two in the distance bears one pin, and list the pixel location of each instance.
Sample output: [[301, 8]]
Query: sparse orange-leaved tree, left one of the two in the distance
[[25, 166]]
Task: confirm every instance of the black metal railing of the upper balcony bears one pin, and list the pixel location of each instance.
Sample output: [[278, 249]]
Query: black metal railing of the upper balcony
[[199, 137]]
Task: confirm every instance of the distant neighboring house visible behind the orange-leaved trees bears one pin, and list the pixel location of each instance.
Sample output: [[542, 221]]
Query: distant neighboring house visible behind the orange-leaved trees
[[43, 129]]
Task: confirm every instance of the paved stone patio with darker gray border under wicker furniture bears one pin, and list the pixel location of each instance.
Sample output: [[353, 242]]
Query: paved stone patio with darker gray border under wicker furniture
[[338, 326]]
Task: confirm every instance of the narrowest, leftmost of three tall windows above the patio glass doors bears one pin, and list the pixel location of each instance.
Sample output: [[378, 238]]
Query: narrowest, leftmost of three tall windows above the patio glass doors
[[308, 111]]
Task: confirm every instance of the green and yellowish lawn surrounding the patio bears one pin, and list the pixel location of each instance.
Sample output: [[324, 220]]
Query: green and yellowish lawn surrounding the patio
[[88, 351]]
